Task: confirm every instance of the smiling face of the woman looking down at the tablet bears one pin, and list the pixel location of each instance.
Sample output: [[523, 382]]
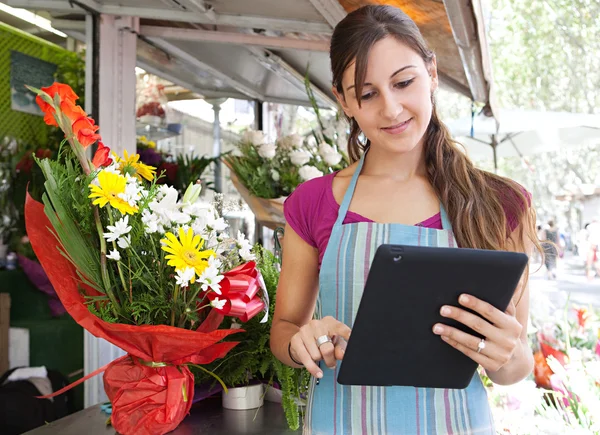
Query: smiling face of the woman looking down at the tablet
[[396, 102]]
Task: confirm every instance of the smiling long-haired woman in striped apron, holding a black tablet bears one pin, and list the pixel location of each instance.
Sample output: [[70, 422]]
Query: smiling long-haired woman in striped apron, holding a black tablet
[[406, 170]]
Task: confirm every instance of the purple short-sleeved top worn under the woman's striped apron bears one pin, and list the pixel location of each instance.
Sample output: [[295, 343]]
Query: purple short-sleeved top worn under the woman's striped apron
[[311, 210]]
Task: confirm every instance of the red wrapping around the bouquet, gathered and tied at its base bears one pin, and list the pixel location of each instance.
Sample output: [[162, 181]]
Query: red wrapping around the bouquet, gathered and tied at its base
[[151, 389]]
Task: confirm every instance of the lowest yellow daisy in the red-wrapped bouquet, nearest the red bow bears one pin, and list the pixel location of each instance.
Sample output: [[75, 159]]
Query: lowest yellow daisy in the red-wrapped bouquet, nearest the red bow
[[186, 251]]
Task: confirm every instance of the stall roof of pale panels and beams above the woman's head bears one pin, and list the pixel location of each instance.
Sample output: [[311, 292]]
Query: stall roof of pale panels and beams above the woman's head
[[261, 49]]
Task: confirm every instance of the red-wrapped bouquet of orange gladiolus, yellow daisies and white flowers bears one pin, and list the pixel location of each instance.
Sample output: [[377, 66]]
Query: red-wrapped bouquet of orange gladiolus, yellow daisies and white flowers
[[134, 264]]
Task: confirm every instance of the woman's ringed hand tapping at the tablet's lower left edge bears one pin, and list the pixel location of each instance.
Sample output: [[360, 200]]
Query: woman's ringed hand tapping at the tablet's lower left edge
[[304, 349]]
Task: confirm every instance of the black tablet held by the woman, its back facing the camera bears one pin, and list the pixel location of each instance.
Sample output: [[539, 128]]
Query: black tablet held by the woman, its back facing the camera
[[392, 340]]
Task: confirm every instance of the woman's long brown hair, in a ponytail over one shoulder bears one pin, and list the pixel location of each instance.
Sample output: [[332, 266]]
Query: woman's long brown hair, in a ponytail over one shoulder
[[477, 202]]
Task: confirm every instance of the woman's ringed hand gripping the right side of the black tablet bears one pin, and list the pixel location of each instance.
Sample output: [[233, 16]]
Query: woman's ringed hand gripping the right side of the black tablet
[[501, 330]]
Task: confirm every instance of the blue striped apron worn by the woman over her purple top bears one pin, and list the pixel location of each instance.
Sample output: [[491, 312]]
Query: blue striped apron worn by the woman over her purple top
[[335, 409]]
